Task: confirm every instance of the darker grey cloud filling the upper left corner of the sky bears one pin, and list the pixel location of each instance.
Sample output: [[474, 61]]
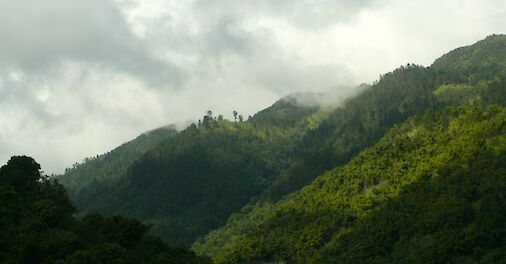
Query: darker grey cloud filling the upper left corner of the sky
[[37, 34]]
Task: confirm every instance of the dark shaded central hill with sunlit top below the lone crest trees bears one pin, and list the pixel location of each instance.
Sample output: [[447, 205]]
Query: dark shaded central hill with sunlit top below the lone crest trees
[[192, 183]]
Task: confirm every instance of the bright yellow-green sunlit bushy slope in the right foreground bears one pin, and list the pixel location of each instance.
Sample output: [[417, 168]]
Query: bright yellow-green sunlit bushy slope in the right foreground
[[432, 190]]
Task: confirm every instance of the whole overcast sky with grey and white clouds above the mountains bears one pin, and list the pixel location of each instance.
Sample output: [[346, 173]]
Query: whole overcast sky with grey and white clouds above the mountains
[[80, 77]]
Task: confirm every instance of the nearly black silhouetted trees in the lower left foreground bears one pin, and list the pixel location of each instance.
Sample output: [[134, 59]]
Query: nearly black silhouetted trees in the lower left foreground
[[37, 226]]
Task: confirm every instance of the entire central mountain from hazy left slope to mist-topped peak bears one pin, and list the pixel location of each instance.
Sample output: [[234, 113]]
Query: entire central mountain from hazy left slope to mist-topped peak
[[189, 182]]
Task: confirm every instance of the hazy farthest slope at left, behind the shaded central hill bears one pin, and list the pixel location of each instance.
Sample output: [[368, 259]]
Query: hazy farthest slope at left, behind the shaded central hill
[[96, 175]]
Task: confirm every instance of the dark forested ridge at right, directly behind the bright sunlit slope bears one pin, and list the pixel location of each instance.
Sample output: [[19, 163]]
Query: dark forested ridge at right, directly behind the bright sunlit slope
[[397, 95]]
